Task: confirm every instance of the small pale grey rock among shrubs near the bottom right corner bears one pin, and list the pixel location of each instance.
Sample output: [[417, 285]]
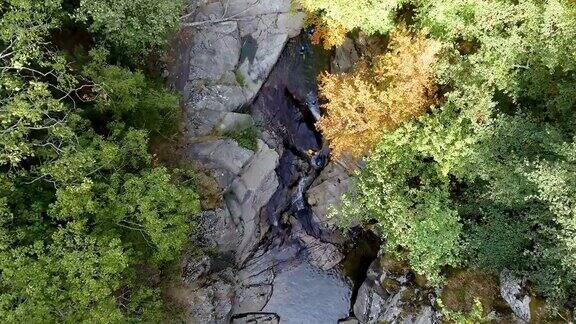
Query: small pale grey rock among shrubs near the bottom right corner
[[511, 292]]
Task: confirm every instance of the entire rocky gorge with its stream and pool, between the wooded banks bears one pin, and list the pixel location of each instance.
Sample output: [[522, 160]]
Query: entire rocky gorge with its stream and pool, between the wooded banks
[[274, 255]]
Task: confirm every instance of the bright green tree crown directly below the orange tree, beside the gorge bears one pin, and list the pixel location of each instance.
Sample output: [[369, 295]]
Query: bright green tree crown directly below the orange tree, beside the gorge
[[408, 194]]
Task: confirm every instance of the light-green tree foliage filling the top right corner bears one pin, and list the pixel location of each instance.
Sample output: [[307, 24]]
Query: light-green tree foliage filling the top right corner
[[523, 52]]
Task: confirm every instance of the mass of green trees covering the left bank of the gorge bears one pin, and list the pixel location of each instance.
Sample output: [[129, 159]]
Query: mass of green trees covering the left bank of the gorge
[[81, 205]]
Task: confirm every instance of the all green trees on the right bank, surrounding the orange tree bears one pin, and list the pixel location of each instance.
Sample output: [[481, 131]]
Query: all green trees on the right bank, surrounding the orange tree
[[490, 175]]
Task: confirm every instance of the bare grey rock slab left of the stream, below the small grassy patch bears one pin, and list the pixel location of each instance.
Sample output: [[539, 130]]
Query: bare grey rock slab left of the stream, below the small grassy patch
[[248, 180]]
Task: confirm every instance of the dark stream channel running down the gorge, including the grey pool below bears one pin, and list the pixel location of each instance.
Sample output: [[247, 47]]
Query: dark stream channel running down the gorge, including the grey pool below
[[287, 108]]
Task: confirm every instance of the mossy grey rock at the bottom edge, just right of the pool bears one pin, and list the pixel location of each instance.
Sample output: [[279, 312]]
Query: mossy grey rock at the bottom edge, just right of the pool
[[388, 296]]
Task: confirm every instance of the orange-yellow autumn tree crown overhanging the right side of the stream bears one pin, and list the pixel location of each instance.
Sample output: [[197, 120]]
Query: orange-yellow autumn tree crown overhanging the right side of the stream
[[379, 95]]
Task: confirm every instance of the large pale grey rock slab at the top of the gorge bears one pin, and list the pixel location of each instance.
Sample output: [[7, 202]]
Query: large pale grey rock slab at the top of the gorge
[[234, 46]]
